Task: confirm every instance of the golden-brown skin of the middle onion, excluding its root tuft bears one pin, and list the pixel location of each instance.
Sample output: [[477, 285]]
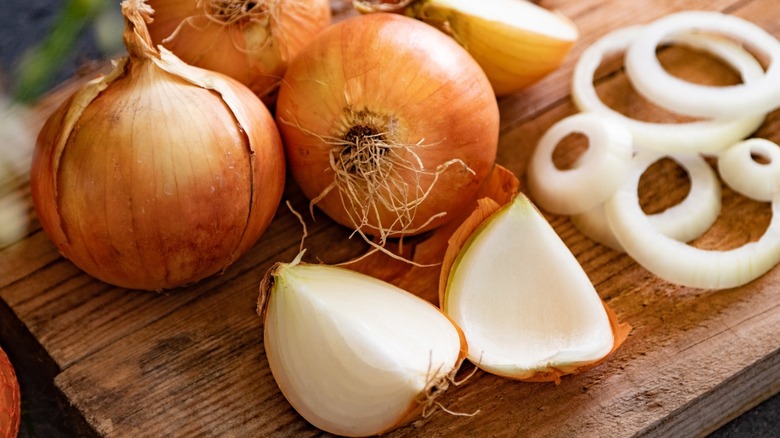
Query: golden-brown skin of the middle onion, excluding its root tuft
[[404, 71]]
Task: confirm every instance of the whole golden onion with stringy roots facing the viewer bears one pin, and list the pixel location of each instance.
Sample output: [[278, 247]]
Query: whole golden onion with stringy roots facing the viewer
[[389, 126]]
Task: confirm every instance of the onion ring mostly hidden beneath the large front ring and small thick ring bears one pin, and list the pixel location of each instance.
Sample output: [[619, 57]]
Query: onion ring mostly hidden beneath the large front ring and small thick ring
[[684, 222]]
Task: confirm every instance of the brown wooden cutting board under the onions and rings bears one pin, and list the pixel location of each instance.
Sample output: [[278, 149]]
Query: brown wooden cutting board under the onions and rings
[[190, 362]]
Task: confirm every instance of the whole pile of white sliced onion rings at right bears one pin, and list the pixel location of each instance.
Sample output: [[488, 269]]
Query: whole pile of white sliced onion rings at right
[[749, 167]]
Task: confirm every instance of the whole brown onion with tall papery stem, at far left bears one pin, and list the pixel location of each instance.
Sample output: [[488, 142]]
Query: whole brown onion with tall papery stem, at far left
[[157, 174]]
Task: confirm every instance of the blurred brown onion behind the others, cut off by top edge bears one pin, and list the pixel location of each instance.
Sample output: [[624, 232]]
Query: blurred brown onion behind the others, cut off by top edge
[[251, 41]]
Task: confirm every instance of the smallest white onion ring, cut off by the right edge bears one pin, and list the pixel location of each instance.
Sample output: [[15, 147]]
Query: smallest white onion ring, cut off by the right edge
[[748, 177]]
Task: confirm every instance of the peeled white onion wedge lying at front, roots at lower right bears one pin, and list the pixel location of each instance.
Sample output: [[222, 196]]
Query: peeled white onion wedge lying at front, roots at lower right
[[352, 354]]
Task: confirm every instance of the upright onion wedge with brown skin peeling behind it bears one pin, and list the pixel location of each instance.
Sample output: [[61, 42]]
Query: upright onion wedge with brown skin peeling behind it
[[524, 303]]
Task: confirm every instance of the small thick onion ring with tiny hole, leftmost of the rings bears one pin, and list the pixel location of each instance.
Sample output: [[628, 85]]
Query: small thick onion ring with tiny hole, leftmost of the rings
[[596, 174]]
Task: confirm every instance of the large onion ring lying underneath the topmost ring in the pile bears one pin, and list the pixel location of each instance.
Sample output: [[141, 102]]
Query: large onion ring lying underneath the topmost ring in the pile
[[702, 136]]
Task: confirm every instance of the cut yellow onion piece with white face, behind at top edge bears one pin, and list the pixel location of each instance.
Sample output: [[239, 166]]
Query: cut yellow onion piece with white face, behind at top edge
[[516, 42]]
